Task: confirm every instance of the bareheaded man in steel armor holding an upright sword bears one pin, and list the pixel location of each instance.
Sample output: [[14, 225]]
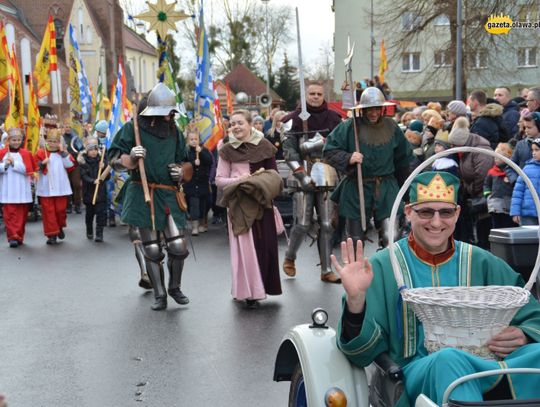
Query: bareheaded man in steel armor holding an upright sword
[[303, 148]]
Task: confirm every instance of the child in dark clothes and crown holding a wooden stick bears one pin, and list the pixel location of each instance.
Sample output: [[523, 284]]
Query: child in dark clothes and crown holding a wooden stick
[[90, 169]]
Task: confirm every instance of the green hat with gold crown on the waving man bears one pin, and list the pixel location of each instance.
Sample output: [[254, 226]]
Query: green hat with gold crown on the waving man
[[433, 186]]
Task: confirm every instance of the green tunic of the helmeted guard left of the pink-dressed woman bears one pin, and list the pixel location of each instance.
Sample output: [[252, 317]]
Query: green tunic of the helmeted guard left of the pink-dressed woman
[[159, 153]]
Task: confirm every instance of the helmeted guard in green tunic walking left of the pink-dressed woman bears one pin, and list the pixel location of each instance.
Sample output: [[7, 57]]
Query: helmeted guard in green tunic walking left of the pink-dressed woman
[[160, 224]]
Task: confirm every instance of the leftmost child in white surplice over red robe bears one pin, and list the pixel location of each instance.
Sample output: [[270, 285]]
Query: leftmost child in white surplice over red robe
[[16, 167]]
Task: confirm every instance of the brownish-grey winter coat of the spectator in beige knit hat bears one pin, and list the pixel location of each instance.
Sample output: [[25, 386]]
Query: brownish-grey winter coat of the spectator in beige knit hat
[[475, 166]]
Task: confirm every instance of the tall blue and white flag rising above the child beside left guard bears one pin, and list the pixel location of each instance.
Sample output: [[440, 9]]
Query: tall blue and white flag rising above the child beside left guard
[[204, 87]]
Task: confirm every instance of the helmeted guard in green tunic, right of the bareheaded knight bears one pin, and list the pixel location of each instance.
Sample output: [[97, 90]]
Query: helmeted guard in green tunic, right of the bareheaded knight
[[384, 156]]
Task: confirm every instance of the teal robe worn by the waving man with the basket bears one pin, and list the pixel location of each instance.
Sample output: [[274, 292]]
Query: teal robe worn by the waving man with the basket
[[403, 338]]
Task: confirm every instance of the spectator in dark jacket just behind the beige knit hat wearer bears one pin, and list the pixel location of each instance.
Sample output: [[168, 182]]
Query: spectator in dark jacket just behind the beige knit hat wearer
[[487, 119]]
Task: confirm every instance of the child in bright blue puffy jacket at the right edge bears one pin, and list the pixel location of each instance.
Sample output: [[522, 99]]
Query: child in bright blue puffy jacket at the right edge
[[522, 209]]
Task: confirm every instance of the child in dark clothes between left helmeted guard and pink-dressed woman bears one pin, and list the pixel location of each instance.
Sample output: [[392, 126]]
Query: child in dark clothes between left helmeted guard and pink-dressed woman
[[198, 189]]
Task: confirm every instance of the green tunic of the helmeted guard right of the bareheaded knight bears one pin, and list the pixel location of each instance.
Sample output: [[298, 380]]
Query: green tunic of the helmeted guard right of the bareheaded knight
[[383, 157]]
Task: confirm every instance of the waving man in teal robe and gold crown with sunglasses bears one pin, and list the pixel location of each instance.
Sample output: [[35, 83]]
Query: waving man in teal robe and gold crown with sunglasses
[[375, 320]]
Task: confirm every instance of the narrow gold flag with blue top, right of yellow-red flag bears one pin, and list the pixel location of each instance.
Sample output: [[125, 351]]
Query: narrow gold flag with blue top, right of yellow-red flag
[[75, 107]]
